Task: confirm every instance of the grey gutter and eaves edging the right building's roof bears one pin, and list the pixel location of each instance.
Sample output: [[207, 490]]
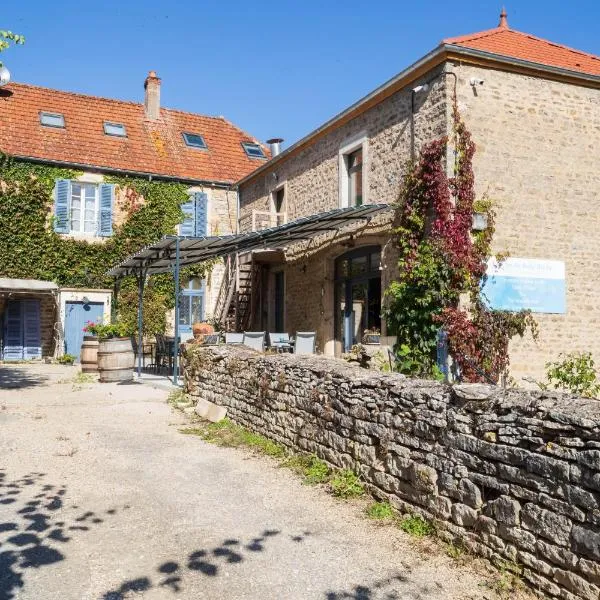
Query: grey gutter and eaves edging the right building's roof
[[436, 56]]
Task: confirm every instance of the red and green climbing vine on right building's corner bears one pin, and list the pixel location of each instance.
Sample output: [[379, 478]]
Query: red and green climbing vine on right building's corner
[[441, 263]]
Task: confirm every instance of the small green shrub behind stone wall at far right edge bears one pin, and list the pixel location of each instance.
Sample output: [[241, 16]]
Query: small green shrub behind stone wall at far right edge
[[575, 373]]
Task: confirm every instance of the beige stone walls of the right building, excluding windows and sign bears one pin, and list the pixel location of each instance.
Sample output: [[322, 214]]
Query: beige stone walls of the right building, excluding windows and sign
[[538, 143]]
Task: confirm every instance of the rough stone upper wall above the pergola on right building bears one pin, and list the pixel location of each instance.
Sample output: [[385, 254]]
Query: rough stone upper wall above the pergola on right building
[[312, 176]]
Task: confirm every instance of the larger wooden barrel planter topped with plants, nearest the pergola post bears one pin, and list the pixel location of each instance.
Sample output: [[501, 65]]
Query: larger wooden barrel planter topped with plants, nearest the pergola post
[[115, 352]]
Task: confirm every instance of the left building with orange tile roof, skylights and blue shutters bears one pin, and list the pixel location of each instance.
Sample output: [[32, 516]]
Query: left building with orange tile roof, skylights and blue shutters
[[101, 140]]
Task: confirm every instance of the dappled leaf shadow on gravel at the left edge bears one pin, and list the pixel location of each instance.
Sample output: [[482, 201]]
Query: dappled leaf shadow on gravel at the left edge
[[31, 533]]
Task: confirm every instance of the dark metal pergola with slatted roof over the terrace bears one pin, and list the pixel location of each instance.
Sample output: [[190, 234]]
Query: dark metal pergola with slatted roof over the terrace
[[171, 253]]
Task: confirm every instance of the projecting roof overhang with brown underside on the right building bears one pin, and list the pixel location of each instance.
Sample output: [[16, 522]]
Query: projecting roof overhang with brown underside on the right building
[[442, 53]]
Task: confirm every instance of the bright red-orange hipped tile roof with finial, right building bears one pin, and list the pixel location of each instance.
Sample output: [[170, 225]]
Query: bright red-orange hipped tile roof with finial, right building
[[516, 44]]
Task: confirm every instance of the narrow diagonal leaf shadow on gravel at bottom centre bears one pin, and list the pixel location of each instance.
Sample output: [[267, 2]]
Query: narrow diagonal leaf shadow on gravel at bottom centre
[[206, 562]]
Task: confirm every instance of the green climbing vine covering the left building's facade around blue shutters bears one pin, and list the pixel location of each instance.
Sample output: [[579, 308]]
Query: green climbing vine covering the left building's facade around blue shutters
[[31, 249]]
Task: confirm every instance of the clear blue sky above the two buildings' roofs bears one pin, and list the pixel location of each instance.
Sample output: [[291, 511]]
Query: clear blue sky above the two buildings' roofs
[[273, 68]]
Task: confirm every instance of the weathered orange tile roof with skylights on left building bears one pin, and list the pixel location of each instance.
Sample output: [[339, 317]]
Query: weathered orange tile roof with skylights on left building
[[155, 147]]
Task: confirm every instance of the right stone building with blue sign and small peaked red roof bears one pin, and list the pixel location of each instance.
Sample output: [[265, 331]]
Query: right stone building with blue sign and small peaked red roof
[[533, 108]]
